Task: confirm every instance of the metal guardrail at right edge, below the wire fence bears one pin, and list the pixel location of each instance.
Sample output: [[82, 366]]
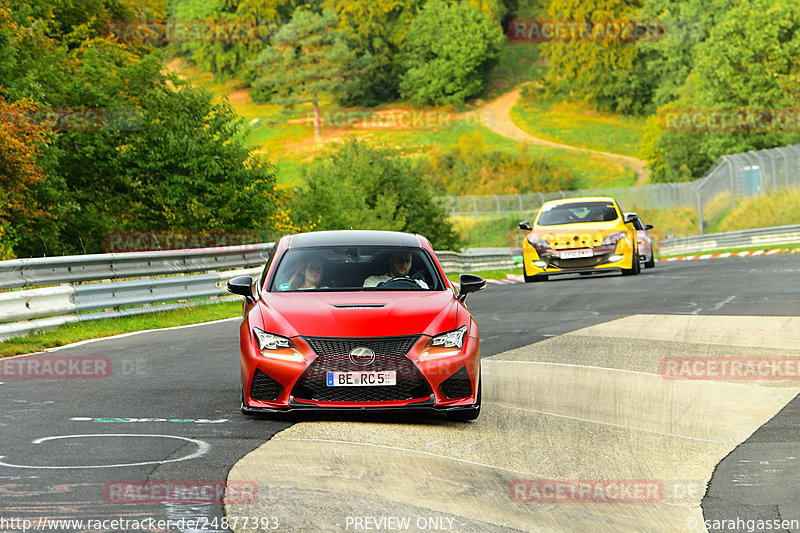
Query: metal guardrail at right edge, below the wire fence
[[735, 239]]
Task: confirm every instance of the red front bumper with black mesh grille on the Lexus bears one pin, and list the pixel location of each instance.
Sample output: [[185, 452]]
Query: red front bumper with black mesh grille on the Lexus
[[441, 381]]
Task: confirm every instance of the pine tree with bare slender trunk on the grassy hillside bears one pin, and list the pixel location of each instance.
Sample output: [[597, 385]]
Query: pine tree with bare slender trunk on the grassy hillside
[[308, 57]]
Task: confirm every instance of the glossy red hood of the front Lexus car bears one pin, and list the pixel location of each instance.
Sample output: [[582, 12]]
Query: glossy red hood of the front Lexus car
[[359, 314]]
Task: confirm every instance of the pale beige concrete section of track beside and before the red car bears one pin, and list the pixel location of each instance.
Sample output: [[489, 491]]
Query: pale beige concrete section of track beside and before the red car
[[582, 431]]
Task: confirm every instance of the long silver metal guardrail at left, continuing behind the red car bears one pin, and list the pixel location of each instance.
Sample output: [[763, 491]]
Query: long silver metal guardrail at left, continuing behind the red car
[[83, 285]]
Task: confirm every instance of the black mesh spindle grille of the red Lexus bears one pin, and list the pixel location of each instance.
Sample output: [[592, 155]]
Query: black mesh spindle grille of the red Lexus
[[334, 356]]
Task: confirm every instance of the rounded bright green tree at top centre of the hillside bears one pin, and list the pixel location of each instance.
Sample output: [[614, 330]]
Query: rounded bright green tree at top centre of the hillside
[[449, 52]]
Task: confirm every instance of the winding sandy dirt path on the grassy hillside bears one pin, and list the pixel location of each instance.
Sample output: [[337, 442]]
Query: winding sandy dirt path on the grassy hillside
[[496, 116]]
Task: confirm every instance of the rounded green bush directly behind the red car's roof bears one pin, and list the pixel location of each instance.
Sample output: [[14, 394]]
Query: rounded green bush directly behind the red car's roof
[[384, 191]]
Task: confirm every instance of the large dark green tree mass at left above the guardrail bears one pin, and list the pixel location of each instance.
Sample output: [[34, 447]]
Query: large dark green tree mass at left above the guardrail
[[160, 154]]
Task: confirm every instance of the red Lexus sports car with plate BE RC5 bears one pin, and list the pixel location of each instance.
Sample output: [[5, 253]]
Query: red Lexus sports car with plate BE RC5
[[358, 320]]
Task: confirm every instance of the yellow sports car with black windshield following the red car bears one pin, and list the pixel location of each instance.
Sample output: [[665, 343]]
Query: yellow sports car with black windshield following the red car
[[579, 235]]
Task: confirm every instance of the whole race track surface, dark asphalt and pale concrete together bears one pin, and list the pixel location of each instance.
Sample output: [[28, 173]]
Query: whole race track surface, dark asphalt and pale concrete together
[[578, 392]]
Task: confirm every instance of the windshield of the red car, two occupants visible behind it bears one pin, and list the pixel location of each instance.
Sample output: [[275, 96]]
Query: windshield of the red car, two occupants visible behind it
[[366, 268]]
